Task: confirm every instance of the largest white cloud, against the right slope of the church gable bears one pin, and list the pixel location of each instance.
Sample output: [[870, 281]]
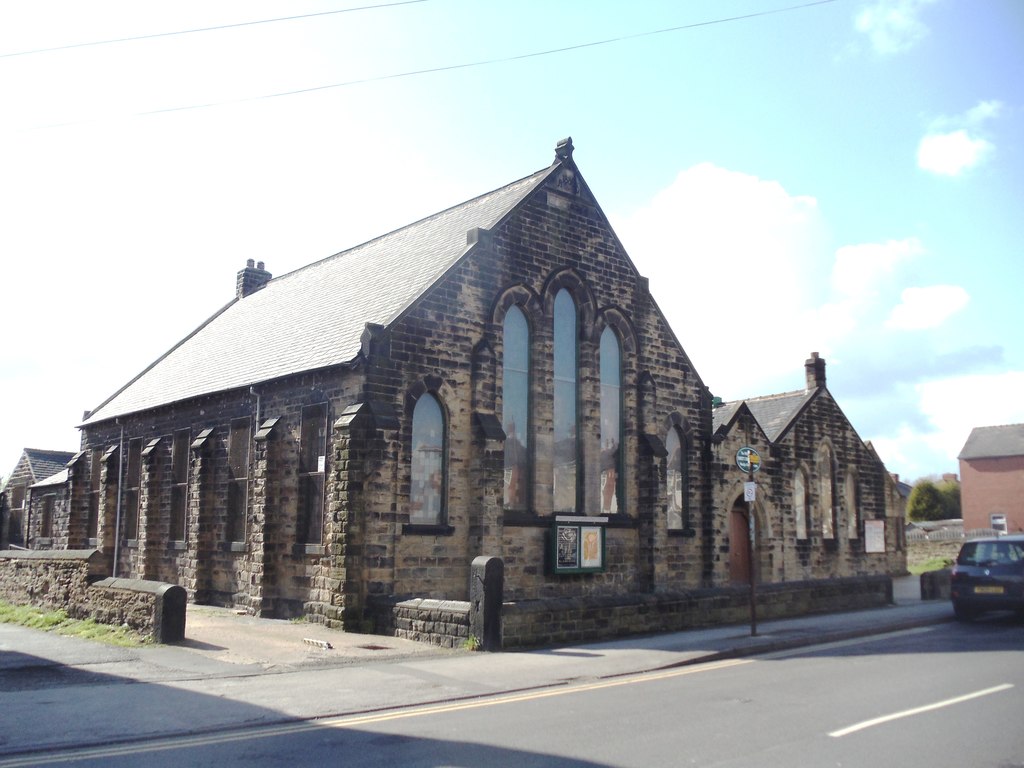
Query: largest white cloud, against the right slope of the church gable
[[735, 263]]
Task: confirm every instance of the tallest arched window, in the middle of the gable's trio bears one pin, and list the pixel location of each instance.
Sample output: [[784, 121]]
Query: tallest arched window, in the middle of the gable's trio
[[565, 458]]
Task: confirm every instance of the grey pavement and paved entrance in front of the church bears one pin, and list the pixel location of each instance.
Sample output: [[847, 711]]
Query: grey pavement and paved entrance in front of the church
[[240, 672]]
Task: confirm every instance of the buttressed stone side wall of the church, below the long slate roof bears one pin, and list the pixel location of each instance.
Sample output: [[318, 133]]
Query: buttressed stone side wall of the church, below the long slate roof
[[268, 570]]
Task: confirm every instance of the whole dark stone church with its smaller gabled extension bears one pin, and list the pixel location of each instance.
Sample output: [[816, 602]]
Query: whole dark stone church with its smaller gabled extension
[[494, 380]]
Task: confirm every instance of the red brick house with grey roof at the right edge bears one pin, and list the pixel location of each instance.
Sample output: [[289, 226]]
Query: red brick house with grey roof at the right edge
[[992, 466]]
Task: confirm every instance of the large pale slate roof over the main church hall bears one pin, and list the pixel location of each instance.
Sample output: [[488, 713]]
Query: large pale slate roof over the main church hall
[[314, 318]]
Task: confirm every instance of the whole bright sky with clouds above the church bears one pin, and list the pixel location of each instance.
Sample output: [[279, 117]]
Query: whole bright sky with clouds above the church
[[843, 178]]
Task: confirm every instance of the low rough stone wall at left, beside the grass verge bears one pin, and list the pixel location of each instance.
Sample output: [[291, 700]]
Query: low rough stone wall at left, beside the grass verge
[[73, 581]]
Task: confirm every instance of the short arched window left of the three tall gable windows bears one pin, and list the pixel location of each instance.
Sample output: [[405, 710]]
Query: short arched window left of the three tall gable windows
[[428, 485]]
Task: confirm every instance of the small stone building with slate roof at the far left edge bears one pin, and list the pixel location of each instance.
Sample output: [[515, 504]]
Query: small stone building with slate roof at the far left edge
[[19, 528]]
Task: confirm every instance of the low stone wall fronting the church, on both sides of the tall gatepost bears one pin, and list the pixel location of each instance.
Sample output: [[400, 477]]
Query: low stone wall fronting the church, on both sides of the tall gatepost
[[572, 620]]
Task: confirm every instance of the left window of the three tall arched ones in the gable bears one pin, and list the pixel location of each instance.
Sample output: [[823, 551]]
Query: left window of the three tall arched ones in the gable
[[516, 408]]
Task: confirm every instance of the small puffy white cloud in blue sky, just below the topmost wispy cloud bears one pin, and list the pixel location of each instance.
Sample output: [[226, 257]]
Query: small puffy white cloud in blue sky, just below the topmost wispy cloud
[[954, 146]]
